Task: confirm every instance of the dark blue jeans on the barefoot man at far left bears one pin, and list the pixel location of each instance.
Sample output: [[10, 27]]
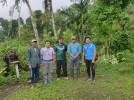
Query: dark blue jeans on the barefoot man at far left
[[34, 71]]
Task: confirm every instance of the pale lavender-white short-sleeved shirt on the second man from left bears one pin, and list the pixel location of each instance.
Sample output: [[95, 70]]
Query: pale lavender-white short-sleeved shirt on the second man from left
[[47, 53]]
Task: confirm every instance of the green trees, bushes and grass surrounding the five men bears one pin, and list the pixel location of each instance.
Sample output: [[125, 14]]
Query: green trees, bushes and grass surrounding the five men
[[109, 23]]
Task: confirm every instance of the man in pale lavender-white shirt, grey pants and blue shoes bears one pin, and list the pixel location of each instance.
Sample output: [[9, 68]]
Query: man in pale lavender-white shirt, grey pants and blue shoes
[[47, 56]]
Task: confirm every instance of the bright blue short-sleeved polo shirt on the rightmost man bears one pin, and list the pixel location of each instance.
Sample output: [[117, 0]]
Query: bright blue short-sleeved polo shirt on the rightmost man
[[89, 51]]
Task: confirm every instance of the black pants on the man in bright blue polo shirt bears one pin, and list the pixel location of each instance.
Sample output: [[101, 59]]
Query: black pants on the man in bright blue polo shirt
[[88, 64]]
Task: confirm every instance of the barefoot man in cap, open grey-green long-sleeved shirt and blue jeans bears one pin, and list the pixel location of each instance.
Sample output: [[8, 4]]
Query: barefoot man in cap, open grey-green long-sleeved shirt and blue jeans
[[34, 62]]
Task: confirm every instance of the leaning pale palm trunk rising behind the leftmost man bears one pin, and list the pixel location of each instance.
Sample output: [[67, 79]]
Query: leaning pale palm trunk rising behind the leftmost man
[[34, 24]]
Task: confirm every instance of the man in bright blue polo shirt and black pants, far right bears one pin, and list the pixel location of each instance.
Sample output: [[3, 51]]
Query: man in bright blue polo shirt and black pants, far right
[[89, 52]]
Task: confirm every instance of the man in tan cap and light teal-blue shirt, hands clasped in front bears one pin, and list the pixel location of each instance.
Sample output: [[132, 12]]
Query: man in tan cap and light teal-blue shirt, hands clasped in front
[[74, 50]]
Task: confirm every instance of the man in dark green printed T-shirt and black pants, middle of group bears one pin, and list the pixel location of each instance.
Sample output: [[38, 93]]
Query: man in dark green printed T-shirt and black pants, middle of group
[[60, 53]]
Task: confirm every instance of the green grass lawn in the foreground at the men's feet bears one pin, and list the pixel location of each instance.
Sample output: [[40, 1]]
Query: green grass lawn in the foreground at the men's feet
[[113, 82]]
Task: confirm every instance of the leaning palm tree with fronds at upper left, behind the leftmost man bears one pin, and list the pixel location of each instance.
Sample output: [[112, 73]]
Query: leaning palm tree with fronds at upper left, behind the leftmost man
[[31, 15]]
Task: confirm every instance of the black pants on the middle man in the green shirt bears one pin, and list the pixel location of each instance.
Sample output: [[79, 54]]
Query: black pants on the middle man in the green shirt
[[64, 66]]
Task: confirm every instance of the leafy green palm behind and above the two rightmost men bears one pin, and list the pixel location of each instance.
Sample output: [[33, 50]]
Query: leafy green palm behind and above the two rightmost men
[[78, 15]]
